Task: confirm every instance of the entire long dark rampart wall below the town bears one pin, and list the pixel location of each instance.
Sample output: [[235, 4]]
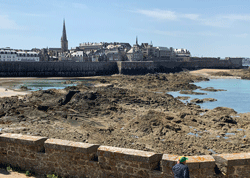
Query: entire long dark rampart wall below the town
[[76, 69]]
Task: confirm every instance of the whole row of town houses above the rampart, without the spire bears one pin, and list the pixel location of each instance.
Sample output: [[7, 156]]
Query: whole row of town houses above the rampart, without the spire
[[94, 52]]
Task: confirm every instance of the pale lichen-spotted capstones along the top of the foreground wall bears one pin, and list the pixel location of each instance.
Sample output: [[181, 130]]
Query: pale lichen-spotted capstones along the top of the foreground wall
[[108, 151]]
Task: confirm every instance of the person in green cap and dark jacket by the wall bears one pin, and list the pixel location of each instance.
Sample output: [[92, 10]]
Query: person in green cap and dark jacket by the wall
[[181, 170]]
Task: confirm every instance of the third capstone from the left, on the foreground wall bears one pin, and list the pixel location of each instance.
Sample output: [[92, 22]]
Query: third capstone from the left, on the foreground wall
[[128, 154]]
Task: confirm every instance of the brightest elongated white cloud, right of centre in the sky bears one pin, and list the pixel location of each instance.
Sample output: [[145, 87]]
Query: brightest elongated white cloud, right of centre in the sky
[[159, 14]]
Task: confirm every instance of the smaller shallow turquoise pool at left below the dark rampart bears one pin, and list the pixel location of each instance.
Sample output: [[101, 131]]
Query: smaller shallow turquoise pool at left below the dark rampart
[[45, 84]]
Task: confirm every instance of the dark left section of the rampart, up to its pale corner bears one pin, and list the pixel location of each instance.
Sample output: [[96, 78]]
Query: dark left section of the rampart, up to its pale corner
[[60, 69]]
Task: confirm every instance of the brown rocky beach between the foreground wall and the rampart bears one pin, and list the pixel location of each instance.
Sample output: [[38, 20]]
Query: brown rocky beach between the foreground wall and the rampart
[[132, 112]]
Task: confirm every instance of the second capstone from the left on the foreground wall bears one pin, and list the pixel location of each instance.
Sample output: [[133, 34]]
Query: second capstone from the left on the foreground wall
[[69, 146]]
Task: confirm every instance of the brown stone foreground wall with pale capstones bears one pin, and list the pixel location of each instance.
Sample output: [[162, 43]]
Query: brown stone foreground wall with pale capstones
[[74, 159]]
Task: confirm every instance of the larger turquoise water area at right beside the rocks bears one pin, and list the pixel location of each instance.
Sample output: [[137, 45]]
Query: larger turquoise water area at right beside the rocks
[[237, 95]]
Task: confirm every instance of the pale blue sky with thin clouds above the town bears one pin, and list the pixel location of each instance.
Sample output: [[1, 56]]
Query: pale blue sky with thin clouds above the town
[[207, 28]]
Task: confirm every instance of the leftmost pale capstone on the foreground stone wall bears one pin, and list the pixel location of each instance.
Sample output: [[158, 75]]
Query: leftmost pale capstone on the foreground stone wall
[[22, 139]]
